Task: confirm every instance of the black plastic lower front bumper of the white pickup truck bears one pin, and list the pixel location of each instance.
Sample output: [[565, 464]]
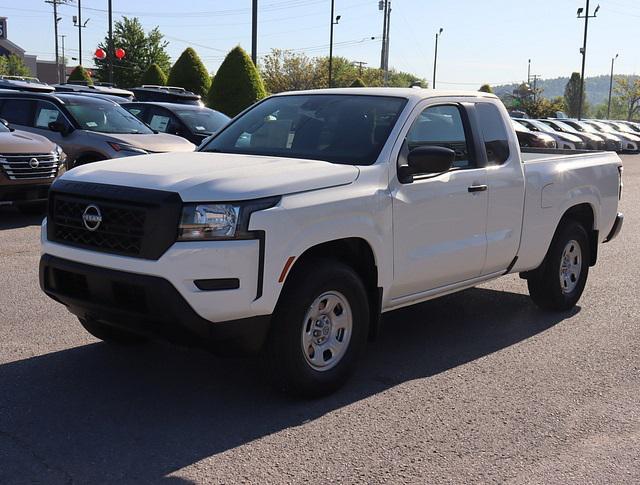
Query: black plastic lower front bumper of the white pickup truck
[[143, 304]]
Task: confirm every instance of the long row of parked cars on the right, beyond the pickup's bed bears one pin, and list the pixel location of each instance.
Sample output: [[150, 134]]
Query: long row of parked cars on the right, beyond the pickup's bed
[[573, 134]]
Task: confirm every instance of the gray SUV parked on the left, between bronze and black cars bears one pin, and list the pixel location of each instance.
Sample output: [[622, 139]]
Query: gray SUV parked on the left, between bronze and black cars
[[87, 128]]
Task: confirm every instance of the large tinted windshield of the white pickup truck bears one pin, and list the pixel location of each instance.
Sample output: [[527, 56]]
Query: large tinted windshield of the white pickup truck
[[347, 129]]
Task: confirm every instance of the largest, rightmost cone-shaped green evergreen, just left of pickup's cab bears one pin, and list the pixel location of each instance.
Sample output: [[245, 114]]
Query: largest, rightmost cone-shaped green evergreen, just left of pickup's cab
[[237, 84]]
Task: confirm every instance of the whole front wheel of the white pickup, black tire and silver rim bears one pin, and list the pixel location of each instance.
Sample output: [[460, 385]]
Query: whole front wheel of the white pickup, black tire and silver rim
[[319, 329]]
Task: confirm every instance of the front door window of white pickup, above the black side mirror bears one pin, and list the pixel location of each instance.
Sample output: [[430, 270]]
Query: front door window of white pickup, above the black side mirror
[[441, 126]]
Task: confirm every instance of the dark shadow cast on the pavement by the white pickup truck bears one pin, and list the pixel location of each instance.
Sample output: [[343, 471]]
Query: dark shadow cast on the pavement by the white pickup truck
[[101, 414]]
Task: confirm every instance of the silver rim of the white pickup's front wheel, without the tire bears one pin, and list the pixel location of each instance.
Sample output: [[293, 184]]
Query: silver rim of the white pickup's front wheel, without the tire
[[326, 331]]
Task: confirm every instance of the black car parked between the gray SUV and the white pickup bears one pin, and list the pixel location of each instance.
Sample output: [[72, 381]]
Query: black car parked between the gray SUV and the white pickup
[[195, 123]]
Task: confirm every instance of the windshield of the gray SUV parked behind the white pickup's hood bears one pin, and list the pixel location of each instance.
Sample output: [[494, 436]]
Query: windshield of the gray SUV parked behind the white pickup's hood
[[106, 117]]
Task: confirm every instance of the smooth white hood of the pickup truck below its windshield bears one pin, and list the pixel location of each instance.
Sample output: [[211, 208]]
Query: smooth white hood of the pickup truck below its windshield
[[201, 176]]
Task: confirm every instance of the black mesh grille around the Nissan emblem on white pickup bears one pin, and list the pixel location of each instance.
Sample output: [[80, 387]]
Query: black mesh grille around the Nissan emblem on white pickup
[[121, 230]]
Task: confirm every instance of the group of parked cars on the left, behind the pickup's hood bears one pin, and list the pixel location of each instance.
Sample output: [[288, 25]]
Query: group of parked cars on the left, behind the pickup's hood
[[45, 130]]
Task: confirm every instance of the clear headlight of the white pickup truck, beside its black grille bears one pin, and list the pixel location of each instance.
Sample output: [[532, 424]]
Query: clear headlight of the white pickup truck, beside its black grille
[[213, 221]]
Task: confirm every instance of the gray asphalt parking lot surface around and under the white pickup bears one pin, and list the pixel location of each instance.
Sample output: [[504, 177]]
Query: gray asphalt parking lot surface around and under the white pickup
[[477, 387]]
